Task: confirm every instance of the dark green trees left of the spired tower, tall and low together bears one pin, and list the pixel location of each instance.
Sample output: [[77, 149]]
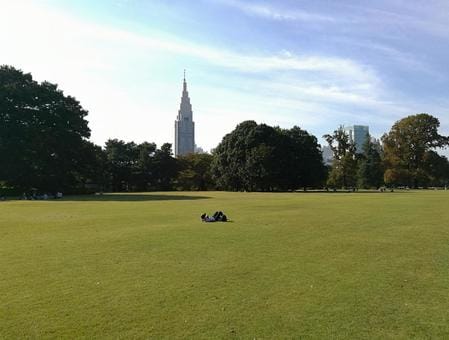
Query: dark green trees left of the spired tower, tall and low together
[[44, 146]]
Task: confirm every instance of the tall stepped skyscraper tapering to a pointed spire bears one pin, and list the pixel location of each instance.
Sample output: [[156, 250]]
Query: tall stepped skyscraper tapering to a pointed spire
[[184, 125]]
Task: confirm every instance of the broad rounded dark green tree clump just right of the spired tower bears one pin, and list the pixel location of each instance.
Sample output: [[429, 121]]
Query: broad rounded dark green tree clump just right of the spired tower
[[262, 158]]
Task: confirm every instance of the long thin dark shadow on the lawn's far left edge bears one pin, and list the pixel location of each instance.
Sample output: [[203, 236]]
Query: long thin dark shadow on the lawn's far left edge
[[130, 198]]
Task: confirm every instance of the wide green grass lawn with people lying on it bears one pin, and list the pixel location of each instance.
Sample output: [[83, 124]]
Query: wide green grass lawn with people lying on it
[[359, 265]]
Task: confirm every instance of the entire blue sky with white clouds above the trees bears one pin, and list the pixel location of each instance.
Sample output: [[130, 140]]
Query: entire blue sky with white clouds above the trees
[[315, 64]]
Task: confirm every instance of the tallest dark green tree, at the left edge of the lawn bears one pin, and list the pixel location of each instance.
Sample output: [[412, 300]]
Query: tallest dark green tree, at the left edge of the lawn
[[42, 134]]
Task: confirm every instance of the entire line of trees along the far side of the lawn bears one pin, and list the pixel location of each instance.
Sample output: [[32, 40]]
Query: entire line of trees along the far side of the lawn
[[45, 147]]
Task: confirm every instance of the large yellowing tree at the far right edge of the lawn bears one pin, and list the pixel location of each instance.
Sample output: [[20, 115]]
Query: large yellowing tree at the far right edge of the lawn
[[407, 147]]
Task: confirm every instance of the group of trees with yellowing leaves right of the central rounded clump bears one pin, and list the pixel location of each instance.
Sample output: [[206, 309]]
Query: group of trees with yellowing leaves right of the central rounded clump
[[406, 157]]
